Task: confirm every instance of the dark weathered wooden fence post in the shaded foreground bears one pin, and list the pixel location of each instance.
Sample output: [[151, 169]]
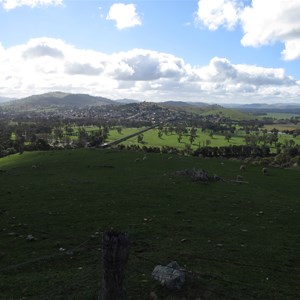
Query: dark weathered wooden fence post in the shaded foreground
[[115, 256]]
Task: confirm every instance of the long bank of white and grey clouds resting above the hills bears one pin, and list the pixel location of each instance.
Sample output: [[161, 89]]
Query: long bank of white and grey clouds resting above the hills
[[46, 64]]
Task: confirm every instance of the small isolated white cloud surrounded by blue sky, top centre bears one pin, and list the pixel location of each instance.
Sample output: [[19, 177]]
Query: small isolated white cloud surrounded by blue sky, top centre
[[124, 15]]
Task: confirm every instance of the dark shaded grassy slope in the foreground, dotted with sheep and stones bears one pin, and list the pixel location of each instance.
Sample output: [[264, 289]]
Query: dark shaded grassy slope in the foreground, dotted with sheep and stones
[[241, 239]]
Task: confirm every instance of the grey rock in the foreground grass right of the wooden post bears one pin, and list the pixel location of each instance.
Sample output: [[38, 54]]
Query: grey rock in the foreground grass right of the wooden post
[[170, 276]]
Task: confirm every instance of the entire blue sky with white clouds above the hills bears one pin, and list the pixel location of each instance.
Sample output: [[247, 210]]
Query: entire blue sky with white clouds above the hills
[[224, 51]]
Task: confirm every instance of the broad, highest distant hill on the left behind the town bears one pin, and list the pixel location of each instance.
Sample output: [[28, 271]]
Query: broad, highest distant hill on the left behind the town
[[58, 99]]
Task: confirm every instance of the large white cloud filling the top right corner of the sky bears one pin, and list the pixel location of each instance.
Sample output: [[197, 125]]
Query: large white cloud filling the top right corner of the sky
[[269, 21]]
